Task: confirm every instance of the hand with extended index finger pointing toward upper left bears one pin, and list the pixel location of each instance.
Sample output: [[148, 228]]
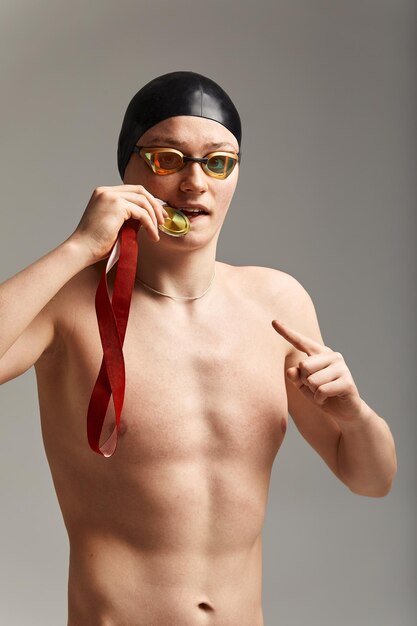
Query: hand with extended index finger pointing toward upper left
[[323, 377]]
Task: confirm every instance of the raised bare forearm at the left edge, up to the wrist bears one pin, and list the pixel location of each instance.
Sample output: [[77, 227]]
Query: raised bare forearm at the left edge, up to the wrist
[[24, 295]]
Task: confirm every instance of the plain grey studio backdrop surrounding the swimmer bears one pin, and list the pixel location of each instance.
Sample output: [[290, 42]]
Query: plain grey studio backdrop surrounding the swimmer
[[327, 95]]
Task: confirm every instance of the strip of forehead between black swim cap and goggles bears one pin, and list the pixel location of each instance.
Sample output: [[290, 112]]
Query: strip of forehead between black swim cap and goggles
[[189, 131]]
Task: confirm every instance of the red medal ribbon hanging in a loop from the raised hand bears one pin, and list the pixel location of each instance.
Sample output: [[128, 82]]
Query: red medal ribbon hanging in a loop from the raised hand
[[112, 316]]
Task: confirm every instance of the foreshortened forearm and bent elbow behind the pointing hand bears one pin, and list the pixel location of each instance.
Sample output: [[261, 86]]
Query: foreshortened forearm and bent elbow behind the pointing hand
[[366, 455]]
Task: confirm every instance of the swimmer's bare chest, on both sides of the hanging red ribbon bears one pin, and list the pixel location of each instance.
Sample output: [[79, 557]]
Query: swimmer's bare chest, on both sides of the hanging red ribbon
[[204, 386]]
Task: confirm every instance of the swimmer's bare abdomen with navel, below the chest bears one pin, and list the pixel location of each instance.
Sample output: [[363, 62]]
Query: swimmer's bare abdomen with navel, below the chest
[[170, 549]]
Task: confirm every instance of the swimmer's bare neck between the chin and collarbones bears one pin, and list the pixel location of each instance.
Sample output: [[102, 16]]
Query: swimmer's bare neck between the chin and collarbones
[[174, 268]]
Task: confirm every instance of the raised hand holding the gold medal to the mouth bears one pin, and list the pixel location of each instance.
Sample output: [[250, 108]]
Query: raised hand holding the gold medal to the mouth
[[106, 212]]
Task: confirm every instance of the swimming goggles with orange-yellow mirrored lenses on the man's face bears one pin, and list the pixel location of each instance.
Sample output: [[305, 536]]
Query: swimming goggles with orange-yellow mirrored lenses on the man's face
[[164, 161]]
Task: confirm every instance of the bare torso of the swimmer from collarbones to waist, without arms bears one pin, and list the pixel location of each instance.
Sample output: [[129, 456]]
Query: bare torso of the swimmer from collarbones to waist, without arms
[[174, 519]]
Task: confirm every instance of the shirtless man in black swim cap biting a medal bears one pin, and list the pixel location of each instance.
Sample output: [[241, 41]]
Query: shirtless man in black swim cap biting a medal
[[167, 531]]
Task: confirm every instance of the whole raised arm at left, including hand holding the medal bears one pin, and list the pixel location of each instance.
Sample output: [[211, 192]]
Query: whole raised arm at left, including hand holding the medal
[[27, 324]]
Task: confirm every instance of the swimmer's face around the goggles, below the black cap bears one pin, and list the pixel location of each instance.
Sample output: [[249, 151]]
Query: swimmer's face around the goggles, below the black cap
[[191, 186]]
